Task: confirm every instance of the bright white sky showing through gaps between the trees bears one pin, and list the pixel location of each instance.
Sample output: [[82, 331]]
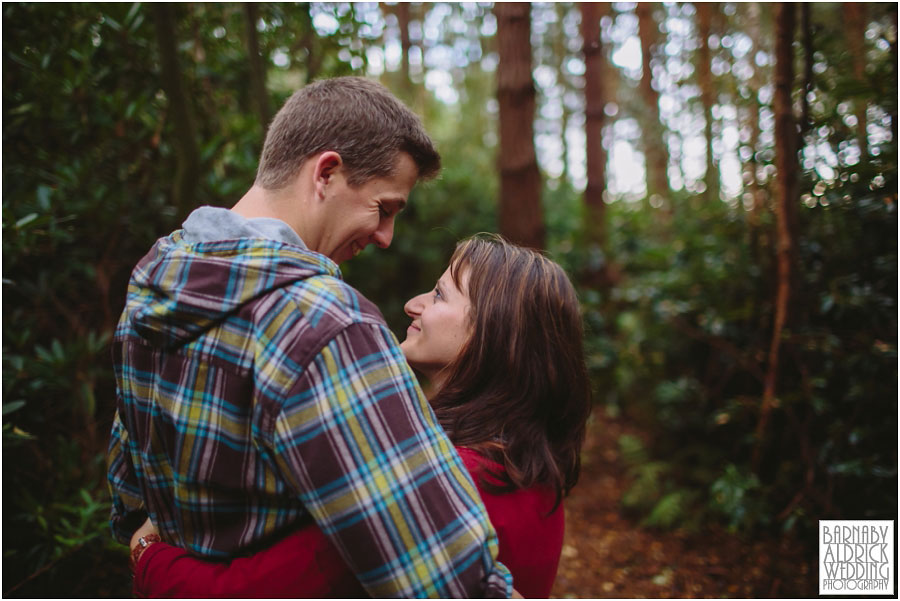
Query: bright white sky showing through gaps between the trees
[[622, 134]]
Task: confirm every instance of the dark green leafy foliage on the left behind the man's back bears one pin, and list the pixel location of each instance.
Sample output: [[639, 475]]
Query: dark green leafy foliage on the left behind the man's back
[[88, 148]]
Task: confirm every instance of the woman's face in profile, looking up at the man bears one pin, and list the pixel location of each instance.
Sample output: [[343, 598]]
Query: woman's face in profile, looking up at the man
[[439, 328]]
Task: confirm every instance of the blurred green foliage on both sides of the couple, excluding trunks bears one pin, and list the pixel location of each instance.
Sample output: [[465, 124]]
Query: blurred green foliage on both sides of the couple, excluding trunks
[[676, 341]]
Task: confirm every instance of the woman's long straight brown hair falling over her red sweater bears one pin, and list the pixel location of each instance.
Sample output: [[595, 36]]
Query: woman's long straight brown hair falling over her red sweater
[[518, 392]]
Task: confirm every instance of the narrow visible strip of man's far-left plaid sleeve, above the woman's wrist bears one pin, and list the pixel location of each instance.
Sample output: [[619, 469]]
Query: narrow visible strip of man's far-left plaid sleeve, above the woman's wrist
[[127, 506]]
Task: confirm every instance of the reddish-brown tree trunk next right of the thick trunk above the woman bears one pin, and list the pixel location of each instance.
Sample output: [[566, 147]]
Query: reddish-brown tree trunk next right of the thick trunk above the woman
[[593, 113]]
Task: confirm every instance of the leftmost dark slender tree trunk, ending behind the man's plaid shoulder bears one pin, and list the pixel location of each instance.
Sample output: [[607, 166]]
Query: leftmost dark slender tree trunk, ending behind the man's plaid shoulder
[[186, 155]]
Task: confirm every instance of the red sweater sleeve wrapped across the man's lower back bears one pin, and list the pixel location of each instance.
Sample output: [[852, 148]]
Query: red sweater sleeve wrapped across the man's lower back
[[304, 564]]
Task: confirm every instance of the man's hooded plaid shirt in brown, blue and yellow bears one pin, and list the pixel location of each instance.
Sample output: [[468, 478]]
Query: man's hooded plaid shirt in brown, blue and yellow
[[257, 390]]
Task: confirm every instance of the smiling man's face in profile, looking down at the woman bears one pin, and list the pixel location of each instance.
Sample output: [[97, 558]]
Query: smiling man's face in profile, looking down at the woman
[[358, 216]]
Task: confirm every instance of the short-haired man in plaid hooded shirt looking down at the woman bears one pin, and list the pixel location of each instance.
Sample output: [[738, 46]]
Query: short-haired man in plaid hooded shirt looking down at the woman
[[257, 390]]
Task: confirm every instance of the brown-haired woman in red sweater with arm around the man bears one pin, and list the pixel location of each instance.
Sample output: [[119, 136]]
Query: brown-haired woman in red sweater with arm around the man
[[500, 341]]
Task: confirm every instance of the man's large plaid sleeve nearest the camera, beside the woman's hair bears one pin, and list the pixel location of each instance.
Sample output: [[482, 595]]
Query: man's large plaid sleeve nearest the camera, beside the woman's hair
[[359, 443]]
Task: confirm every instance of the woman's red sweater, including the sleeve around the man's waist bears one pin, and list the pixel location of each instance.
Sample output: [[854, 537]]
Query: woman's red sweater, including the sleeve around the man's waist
[[305, 564]]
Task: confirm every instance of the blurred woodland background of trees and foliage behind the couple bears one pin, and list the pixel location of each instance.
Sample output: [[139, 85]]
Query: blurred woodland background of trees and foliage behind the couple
[[745, 320]]
